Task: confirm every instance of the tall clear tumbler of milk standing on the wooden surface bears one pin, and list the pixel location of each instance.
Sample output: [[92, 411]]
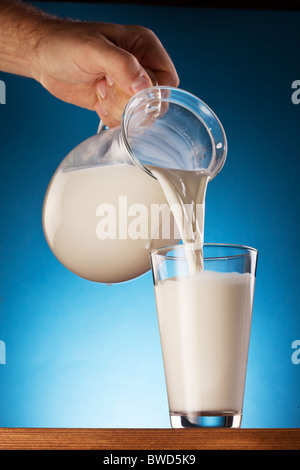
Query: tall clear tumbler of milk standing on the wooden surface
[[204, 317]]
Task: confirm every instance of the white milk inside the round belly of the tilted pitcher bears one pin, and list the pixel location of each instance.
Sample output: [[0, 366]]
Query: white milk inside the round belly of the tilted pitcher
[[97, 226]]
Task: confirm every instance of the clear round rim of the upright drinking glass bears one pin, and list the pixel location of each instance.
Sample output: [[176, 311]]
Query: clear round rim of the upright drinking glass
[[248, 250]]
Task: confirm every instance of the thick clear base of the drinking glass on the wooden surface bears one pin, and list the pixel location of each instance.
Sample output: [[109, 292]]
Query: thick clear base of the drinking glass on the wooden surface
[[206, 420]]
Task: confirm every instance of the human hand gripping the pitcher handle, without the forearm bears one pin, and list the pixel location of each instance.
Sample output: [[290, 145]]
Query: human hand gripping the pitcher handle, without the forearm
[[99, 66]]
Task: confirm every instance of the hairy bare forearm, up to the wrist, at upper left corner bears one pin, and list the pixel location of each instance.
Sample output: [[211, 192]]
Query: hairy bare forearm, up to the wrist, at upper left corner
[[21, 29]]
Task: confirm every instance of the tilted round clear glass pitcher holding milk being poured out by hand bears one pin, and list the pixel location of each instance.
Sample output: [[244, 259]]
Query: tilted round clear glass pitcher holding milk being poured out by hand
[[104, 210]]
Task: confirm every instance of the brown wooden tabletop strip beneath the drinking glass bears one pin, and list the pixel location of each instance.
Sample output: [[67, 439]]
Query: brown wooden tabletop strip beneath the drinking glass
[[149, 439]]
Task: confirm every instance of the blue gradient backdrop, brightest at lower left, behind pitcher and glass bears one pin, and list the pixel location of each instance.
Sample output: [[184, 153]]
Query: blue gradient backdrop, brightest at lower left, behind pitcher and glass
[[80, 354]]
